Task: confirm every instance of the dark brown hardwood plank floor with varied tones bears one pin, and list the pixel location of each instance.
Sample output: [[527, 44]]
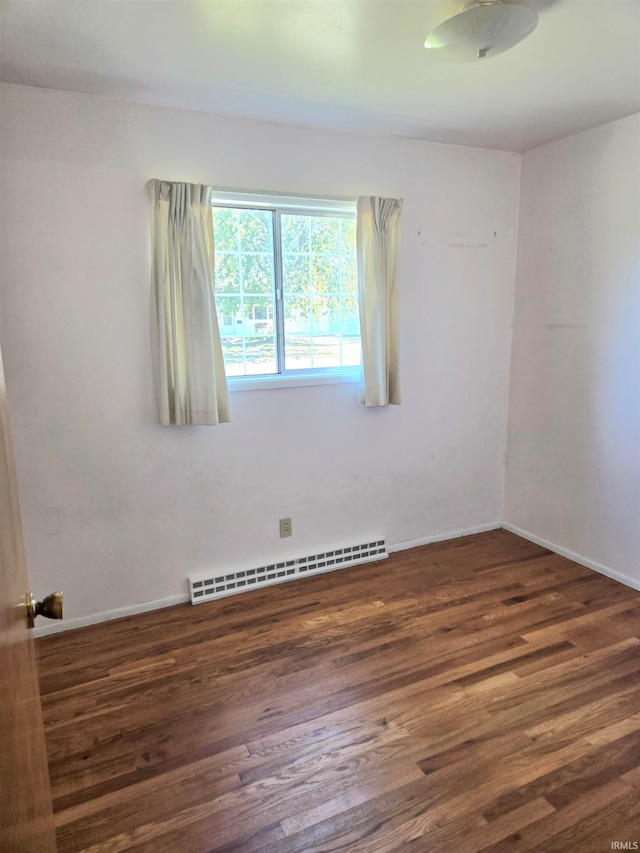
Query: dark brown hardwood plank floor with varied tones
[[477, 694]]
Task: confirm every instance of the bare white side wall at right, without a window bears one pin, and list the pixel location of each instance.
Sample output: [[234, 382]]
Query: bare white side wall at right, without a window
[[573, 473]]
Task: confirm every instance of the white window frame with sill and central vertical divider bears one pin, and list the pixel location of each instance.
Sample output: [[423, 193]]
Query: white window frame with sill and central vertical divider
[[279, 205]]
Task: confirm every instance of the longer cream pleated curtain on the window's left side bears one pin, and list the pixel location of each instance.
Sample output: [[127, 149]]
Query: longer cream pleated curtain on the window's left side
[[191, 385]]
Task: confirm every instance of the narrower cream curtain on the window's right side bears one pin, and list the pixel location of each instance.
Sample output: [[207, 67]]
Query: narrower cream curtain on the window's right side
[[377, 238]]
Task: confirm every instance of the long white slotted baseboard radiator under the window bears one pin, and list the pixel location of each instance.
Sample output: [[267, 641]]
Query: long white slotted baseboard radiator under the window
[[231, 582]]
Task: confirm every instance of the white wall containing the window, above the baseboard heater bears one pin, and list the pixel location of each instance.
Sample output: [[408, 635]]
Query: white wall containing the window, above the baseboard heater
[[118, 510]]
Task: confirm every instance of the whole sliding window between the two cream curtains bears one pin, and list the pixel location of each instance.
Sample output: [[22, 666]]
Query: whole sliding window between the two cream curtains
[[286, 286]]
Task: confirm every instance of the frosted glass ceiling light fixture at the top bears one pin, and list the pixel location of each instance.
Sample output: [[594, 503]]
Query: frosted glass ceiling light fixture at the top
[[482, 30]]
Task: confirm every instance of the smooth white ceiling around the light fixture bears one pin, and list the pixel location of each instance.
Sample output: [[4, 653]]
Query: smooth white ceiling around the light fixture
[[351, 64]]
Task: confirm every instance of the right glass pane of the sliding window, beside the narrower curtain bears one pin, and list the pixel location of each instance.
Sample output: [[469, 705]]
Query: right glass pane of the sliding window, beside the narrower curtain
[[319, 292]]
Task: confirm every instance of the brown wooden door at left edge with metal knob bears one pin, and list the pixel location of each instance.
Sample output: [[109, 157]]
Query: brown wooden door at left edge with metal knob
[[26, 815]]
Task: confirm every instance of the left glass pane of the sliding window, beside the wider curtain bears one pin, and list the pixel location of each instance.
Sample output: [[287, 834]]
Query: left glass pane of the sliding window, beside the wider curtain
[[244, 285]]
